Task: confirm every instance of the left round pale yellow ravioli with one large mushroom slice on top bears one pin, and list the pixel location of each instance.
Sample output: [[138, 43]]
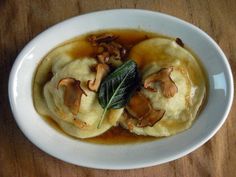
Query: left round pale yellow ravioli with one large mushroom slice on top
[[51, 103]]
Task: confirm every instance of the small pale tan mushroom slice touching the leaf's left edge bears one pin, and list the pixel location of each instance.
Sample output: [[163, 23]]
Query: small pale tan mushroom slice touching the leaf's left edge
[[102, 71]]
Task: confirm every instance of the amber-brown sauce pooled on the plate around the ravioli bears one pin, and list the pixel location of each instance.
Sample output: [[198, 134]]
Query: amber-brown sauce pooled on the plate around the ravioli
[[128, 38]]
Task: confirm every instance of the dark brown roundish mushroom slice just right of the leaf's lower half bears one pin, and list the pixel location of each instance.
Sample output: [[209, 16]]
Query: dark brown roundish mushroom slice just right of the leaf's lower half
[[138, 106]]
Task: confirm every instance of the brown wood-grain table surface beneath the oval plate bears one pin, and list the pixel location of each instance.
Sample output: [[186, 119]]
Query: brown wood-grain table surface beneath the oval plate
[[21, 20]]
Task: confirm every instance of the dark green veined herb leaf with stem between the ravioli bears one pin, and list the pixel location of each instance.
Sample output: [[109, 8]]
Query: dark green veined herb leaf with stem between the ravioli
[[117, 88]]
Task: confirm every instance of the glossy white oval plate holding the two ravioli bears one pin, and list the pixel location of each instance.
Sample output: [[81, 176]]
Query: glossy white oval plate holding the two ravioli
[[131, 155]]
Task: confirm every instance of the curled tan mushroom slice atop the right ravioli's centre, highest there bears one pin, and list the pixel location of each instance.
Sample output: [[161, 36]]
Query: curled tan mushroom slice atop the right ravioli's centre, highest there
[[168, 87]]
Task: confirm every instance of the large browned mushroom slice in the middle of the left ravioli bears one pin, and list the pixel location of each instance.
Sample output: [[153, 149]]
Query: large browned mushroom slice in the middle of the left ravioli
[[73, 93]]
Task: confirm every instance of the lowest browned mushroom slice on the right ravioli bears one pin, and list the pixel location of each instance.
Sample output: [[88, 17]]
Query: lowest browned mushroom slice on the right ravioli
[[152, 118]]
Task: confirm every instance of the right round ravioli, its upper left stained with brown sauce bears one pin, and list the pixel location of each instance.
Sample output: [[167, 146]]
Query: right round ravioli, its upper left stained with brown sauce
[[182, 108]]
